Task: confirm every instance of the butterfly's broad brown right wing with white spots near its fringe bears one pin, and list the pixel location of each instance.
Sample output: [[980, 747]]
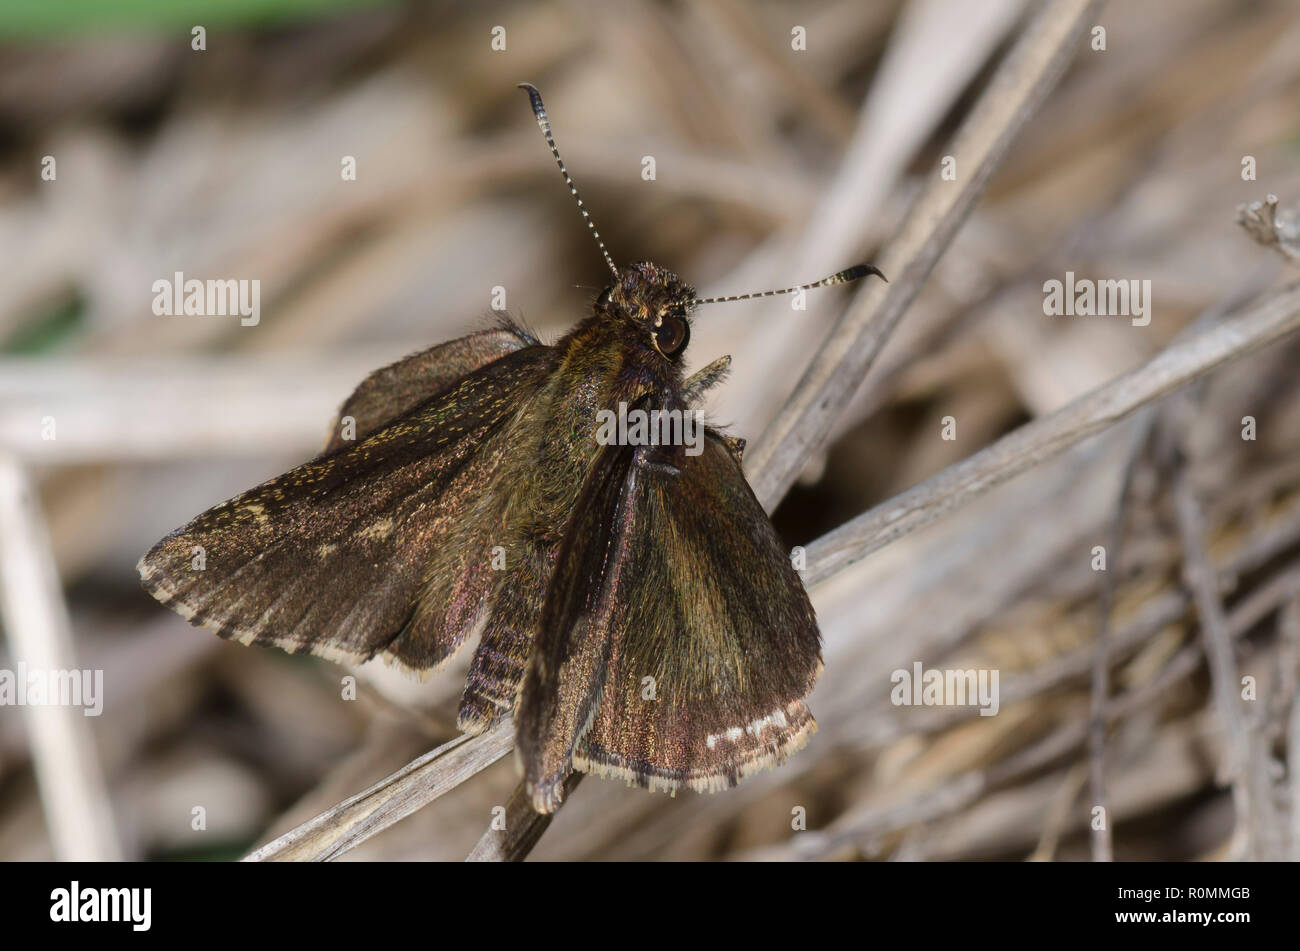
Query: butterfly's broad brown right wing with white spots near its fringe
[[707, 683]]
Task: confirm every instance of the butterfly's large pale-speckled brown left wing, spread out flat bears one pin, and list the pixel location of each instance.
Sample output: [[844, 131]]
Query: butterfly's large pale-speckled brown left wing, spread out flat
[[379, 548]]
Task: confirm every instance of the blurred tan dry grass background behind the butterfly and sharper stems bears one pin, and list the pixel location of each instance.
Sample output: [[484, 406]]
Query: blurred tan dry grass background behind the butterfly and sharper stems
[[773, 167]]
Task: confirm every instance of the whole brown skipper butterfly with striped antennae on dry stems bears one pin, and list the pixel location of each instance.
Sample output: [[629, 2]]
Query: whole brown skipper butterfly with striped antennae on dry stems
[[638, 613]]
